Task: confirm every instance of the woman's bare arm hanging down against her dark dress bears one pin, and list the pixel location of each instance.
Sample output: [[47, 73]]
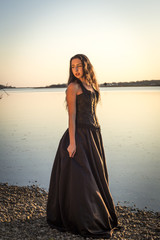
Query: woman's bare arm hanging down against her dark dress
[[71, 102]]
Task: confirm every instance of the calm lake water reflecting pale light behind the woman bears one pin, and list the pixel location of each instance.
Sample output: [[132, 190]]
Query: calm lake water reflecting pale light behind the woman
[[33, 120]]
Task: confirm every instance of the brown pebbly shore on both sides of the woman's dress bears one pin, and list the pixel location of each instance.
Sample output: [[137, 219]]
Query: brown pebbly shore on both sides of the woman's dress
[[23, 216]]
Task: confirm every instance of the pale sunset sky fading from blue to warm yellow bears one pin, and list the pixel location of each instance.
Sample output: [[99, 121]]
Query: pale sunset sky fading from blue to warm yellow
[[38, 38]]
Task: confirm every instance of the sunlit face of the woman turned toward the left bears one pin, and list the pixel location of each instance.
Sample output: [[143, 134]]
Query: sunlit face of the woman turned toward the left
[[77, 68]]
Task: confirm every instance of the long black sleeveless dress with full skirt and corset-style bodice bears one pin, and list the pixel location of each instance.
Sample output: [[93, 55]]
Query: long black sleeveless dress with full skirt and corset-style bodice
[[79, 198]]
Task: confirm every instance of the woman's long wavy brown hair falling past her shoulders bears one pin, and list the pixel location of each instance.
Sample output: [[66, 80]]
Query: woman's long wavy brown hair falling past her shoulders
[[88, 71]]
